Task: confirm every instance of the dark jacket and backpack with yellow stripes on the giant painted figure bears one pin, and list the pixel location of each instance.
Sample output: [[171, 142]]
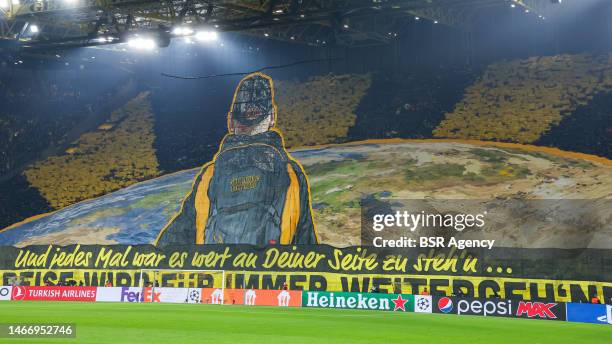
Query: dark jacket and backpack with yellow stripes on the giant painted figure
[[253, 192]]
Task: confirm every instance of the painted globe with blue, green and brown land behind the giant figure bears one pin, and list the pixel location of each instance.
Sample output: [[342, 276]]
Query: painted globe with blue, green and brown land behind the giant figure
[[388, 171]]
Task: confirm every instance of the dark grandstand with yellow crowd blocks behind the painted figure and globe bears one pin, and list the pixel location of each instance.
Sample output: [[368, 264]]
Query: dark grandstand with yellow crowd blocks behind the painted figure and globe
[[63, 99]]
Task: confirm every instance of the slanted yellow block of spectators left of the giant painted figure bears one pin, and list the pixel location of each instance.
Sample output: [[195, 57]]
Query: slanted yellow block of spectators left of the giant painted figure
[[118, 154]]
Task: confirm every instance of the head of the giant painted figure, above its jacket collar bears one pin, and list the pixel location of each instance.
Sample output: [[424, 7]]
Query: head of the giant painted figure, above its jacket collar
[[253, 109]]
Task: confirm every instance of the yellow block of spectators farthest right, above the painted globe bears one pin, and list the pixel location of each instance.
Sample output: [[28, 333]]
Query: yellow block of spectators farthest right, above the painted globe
[[520, 100]]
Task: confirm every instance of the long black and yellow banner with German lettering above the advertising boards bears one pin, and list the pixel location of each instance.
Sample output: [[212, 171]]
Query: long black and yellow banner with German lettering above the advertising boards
[[528, 274]]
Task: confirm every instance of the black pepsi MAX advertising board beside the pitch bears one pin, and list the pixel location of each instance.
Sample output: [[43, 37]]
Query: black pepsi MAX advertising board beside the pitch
[[500, 308]]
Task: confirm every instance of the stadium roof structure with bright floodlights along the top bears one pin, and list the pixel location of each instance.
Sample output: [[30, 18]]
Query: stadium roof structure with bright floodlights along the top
[[52, 24]]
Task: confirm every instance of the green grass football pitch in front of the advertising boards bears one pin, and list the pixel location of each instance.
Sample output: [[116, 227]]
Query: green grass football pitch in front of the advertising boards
[[191, 323]]
